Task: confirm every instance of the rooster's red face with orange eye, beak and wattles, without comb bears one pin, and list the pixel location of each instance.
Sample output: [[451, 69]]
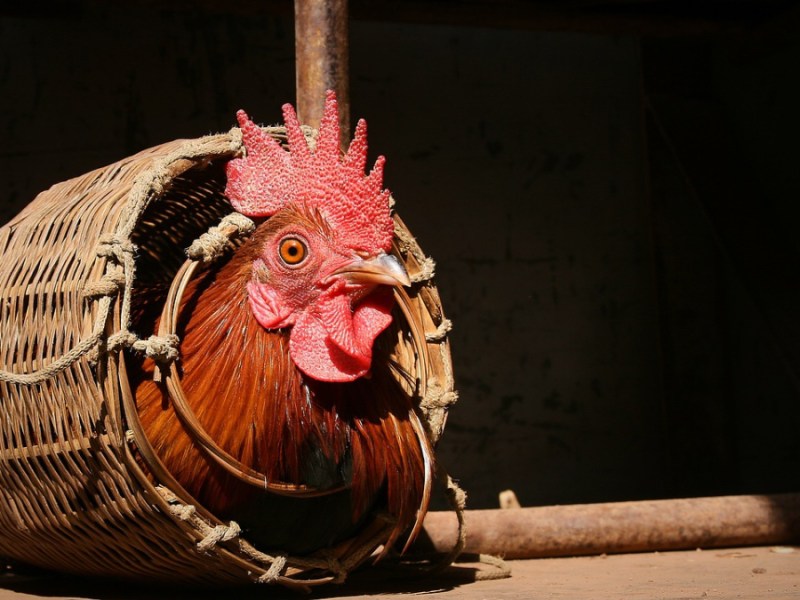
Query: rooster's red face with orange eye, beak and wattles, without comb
[[336, 300]]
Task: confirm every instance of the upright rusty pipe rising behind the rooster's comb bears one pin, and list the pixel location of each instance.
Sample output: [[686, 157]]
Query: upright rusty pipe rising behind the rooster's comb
[[321, 53]]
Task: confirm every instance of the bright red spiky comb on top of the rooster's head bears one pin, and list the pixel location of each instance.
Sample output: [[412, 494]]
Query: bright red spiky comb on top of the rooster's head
[[269, 178]]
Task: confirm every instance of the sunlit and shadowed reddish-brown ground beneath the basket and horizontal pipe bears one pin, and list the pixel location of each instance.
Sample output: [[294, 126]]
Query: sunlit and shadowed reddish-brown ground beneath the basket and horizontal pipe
[[748, 573]]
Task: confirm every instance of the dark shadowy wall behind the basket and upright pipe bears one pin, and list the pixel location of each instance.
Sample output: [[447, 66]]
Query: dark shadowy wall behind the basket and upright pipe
[[610, 191]]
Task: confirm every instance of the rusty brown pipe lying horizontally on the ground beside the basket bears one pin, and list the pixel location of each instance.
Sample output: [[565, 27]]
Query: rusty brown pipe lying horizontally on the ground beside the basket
[[573, 530]]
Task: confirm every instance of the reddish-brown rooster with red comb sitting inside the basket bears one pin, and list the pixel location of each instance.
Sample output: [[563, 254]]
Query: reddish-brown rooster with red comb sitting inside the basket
[[282, 357]]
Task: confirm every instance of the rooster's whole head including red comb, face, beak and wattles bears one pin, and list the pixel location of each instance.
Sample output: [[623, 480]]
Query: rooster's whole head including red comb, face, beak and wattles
[[323, 266]]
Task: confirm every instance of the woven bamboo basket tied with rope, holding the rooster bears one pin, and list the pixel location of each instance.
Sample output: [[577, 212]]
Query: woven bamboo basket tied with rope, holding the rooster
[[76, 494]]
